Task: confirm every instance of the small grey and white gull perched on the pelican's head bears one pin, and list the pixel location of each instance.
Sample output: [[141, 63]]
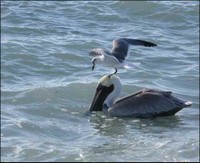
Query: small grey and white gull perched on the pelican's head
[[116, 57]]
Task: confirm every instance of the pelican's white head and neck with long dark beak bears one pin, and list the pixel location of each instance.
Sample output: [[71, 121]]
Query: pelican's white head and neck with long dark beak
[[108, 88]]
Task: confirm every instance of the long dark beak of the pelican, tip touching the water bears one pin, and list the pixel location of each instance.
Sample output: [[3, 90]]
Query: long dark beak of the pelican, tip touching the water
[[100, 95]]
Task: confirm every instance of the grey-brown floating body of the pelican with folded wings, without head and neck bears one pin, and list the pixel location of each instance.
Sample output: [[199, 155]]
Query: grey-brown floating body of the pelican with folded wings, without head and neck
[[148, 103]]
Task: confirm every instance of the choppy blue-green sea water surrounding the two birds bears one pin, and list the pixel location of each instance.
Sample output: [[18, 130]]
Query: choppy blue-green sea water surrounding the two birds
[[47, 84]]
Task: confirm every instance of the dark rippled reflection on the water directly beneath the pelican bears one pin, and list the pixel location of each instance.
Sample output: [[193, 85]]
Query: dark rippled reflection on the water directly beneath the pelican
[[115, 126]]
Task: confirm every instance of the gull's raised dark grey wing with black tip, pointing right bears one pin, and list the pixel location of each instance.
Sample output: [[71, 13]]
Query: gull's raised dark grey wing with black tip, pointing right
[[121, 45]]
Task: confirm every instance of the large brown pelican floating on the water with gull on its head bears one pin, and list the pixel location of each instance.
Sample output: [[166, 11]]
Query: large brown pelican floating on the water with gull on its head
[[146, 103]]
